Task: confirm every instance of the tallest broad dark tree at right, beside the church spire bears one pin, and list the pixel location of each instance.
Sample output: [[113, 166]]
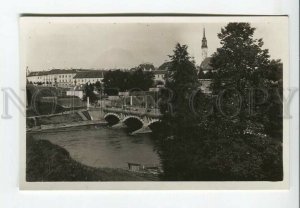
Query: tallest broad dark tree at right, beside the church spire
[[246, 80]]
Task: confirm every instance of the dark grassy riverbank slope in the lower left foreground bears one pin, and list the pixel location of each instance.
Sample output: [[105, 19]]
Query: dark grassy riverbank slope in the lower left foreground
[[48, 162]]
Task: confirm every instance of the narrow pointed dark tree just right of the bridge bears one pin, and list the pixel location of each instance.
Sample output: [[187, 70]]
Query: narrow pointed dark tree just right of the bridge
[[178, 132]]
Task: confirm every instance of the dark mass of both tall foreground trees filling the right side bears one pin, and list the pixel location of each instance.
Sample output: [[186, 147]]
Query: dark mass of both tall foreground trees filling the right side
[[219, 139]]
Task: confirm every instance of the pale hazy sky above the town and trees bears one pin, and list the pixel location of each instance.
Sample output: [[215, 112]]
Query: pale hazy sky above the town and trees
[[51, 44]]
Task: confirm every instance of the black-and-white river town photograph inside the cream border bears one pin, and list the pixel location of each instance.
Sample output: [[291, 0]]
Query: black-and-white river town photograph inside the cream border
[[159, 99]]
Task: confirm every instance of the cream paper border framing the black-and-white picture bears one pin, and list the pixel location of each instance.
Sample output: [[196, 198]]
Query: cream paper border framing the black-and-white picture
[[282, 21]]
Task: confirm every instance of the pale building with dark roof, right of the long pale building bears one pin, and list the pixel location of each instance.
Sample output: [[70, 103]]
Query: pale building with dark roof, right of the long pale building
[[88, 77]]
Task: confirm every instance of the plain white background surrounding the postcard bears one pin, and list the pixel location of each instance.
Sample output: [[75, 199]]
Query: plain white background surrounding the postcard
[[10, 196]]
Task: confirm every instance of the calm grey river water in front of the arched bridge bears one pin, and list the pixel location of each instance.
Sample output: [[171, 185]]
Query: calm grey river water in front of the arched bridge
[[101, 146]]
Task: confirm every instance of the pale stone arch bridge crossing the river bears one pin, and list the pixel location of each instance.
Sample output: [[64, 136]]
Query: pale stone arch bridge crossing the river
[[137, 120]]
